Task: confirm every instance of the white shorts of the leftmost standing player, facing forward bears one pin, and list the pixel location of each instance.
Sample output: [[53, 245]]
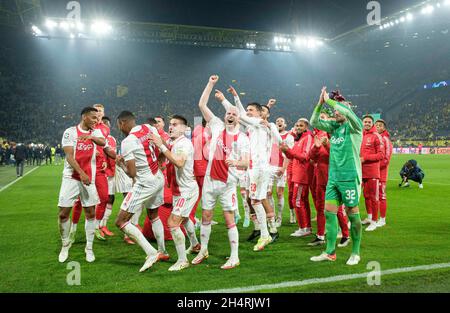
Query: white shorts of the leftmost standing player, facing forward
[[72, 189]]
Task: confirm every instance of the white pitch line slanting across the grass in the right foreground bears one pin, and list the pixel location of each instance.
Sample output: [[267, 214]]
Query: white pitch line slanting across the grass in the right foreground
[[328, 279]]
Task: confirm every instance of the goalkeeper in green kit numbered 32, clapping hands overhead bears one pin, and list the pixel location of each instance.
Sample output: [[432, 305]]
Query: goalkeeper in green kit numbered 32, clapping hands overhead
[[344, 176]]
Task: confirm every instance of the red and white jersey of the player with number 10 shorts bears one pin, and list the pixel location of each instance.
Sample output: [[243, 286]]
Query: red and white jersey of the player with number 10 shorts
[[182, 180]]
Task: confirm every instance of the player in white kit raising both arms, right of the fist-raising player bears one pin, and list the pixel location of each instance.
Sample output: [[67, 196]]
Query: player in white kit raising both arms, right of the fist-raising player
[[260, 133]]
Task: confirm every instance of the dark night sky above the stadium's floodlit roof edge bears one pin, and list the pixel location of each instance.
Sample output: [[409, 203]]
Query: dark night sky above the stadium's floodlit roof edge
[[324, 18]]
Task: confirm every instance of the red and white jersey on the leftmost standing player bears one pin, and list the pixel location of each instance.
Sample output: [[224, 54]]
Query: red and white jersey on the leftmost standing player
[[83, 150]]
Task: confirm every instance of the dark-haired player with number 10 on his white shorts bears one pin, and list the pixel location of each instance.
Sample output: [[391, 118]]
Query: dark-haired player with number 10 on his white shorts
[[180, 176]]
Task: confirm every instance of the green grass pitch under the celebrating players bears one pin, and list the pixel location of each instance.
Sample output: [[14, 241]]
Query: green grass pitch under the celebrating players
[[417, 233]]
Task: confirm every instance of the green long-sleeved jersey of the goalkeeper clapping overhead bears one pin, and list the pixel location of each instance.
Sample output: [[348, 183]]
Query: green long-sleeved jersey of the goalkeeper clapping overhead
[[346, 139]]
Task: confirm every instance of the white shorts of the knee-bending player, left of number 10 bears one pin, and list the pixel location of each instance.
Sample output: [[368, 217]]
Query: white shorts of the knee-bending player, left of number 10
[[148, 194]]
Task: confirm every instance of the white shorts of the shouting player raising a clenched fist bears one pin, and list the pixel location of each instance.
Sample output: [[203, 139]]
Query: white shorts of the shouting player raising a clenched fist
[[215, 190]]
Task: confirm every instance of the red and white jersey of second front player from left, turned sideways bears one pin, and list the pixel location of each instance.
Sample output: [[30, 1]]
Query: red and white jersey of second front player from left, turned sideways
[[137, 146]]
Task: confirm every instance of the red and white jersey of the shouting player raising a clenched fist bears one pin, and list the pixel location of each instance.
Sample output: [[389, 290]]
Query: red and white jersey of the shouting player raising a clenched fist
[[225, 146]]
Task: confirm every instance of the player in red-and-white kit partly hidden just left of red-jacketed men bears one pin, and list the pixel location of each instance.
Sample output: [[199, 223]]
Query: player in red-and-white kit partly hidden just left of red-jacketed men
[[278, 166]]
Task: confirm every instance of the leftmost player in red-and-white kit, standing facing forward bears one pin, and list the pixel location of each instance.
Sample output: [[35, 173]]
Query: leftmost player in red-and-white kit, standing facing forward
[[79, 144]]
